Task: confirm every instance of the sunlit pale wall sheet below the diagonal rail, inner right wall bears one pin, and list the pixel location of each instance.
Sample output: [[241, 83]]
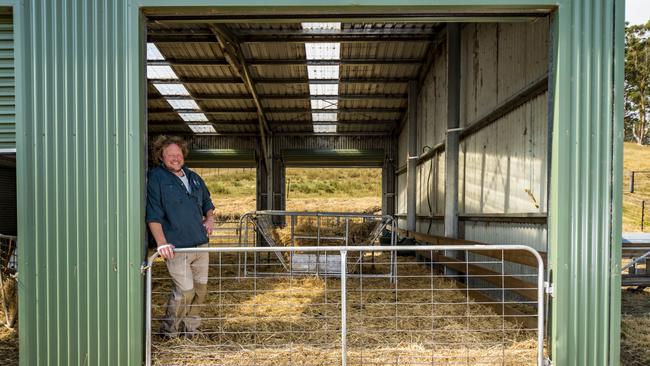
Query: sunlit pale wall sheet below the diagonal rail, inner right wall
[[503, 167]]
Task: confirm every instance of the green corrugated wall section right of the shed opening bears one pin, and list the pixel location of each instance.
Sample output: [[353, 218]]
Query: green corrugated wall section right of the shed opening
[[585, 210]]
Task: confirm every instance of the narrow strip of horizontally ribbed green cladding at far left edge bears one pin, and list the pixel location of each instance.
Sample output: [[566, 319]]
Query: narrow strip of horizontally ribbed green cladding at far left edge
[[7, 89]]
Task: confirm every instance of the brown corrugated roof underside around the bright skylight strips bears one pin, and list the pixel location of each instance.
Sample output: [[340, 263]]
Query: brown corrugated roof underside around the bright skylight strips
[[376, 62]]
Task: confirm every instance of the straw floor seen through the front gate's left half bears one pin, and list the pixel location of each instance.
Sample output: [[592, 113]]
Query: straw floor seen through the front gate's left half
[[253, 320]]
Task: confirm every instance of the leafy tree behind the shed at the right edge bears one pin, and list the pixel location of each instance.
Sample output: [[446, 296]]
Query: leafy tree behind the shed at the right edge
[[637, 82]]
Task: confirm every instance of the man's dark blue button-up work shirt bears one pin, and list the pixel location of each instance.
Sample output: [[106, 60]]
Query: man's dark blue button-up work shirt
[[178, 211]]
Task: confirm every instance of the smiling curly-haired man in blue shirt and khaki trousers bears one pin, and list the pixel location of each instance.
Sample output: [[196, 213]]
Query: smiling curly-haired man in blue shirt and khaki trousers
[[179, 215]]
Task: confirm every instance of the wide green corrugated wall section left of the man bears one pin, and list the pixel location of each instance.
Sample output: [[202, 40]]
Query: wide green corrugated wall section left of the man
[[81, 168]]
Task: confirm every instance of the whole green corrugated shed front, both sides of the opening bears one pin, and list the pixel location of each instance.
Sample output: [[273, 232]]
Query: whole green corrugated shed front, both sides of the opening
[[81, 171]]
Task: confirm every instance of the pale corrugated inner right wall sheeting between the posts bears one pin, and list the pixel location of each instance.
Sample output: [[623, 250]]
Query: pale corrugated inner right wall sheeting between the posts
[[502, 168]]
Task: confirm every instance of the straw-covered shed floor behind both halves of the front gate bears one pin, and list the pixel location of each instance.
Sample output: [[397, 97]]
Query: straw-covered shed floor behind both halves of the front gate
[[296, 319]]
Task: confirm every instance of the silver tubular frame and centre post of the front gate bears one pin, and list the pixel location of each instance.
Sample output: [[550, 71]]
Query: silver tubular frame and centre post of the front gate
[[343, 250]]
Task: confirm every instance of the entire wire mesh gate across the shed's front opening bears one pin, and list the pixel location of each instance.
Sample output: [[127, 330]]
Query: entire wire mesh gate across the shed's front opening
[[422, 316]]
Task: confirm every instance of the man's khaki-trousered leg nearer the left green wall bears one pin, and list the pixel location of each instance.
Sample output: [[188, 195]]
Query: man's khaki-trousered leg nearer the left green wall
[[182, 293]]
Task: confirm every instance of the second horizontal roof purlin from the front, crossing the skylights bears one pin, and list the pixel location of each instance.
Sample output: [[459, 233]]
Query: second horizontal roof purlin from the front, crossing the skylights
[[288, 62]]
